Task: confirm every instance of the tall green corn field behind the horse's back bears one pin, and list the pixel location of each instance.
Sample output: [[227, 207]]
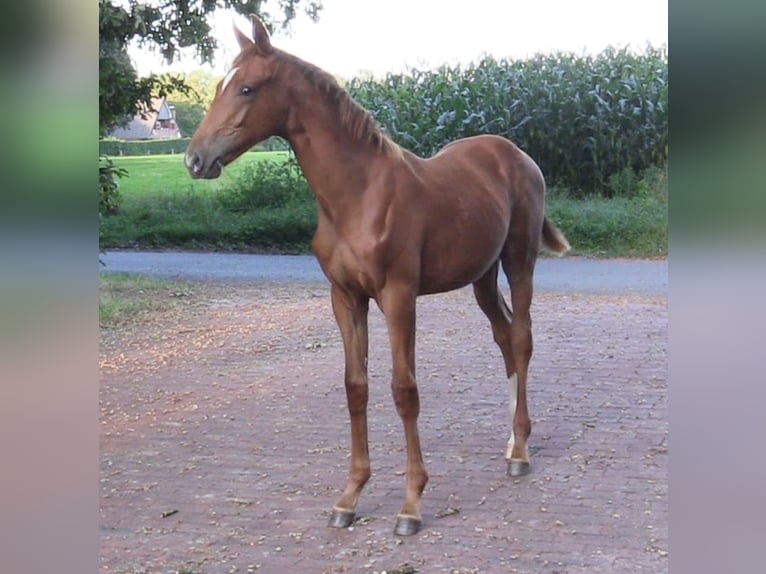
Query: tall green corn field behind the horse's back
[[582, 118]]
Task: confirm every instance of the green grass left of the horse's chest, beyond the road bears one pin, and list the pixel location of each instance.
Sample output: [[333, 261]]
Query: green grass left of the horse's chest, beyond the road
[[162, 207]]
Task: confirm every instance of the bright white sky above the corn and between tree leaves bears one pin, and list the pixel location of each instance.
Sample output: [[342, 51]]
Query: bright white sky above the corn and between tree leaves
[[356, 37]]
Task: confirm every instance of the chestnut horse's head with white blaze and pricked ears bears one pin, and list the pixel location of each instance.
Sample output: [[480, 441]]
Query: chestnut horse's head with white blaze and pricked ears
[[248, 107]]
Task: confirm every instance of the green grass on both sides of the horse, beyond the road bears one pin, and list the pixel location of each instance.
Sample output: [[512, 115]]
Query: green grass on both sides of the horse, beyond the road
[[251, 208]]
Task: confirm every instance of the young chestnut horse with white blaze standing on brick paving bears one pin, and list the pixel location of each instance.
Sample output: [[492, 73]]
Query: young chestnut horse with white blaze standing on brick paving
[[391, 226]]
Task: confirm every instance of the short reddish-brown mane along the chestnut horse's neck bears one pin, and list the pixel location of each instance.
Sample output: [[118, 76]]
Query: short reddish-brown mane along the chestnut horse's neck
[[357, 121]]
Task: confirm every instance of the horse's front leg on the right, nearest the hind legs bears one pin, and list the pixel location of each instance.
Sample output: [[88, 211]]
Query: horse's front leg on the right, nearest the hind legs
[[399, 309]]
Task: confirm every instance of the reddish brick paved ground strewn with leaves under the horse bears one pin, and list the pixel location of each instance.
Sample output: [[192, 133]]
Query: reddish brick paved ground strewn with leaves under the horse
[[230, 410]]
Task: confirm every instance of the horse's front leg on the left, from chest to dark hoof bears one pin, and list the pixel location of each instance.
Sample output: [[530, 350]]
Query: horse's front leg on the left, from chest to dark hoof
[[351, 314]]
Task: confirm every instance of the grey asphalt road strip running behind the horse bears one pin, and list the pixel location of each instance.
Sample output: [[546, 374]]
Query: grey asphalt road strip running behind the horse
[[566, 275]]
